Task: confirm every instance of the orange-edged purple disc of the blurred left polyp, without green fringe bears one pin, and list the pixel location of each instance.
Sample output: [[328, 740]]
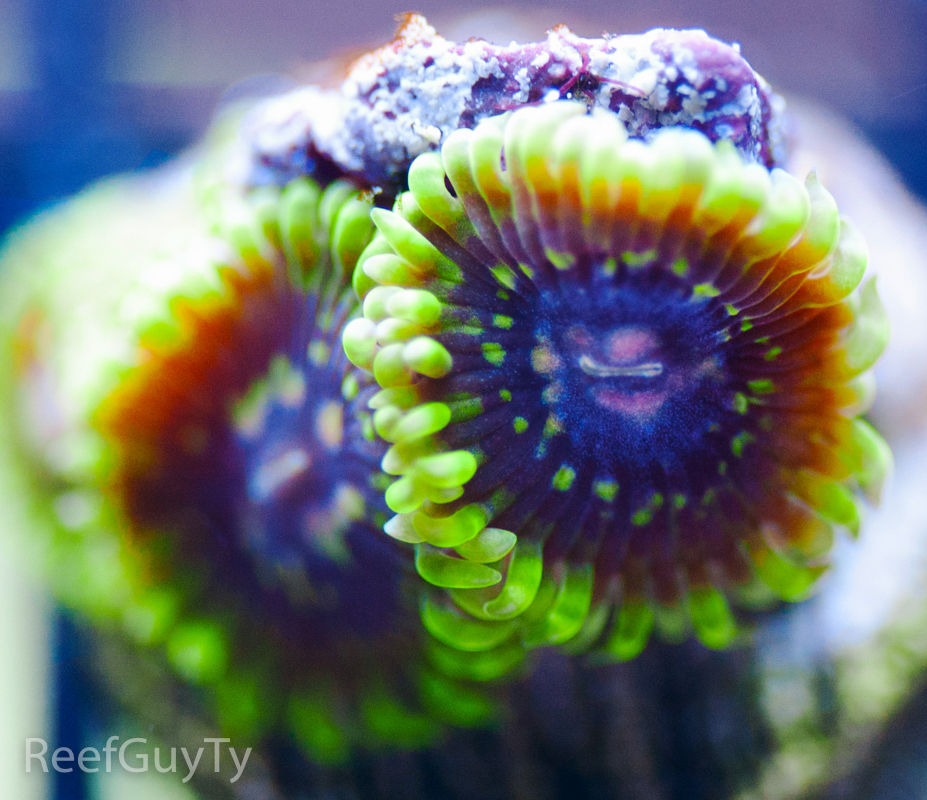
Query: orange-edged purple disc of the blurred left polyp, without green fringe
[[242, 434]]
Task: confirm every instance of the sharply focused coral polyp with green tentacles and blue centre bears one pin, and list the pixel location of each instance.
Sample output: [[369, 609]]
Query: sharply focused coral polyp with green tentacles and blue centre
[[621, 380]]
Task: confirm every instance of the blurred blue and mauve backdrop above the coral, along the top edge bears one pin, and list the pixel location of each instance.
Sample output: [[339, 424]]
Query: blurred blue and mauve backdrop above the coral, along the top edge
[[92, 88]]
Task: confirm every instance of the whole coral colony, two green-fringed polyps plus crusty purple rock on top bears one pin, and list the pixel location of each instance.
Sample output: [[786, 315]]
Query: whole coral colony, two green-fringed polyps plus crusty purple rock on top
[[490, 349]]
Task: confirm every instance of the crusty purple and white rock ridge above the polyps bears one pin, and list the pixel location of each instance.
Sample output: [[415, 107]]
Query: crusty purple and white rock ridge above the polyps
[[407, 97]]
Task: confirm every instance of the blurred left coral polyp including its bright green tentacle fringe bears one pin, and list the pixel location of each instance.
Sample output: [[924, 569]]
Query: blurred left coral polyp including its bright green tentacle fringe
[[221, 453]]
